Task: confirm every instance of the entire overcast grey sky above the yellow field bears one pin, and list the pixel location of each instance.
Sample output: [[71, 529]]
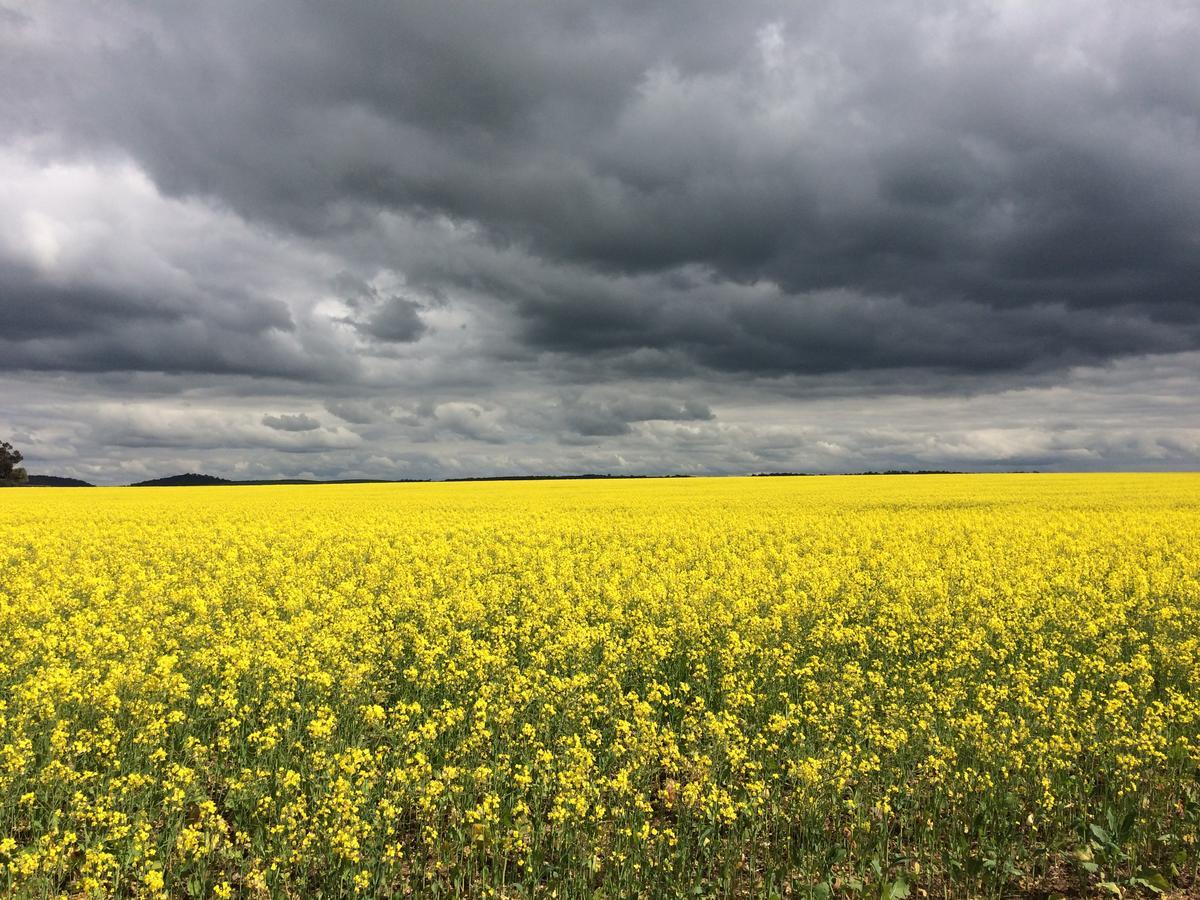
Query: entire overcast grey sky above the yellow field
[[433, 239]]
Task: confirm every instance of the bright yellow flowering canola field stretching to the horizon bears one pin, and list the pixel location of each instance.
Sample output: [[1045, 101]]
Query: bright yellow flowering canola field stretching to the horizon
[[811, 687]]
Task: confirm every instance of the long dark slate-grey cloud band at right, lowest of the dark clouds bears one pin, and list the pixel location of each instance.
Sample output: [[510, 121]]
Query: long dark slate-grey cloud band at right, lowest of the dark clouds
[[686, 319]]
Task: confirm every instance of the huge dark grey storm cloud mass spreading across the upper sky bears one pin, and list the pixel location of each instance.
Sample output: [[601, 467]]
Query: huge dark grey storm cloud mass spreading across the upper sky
[[998, 176]]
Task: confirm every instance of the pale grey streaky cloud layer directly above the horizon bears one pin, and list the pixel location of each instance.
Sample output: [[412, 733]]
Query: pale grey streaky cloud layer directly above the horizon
[[1137, 415]]
